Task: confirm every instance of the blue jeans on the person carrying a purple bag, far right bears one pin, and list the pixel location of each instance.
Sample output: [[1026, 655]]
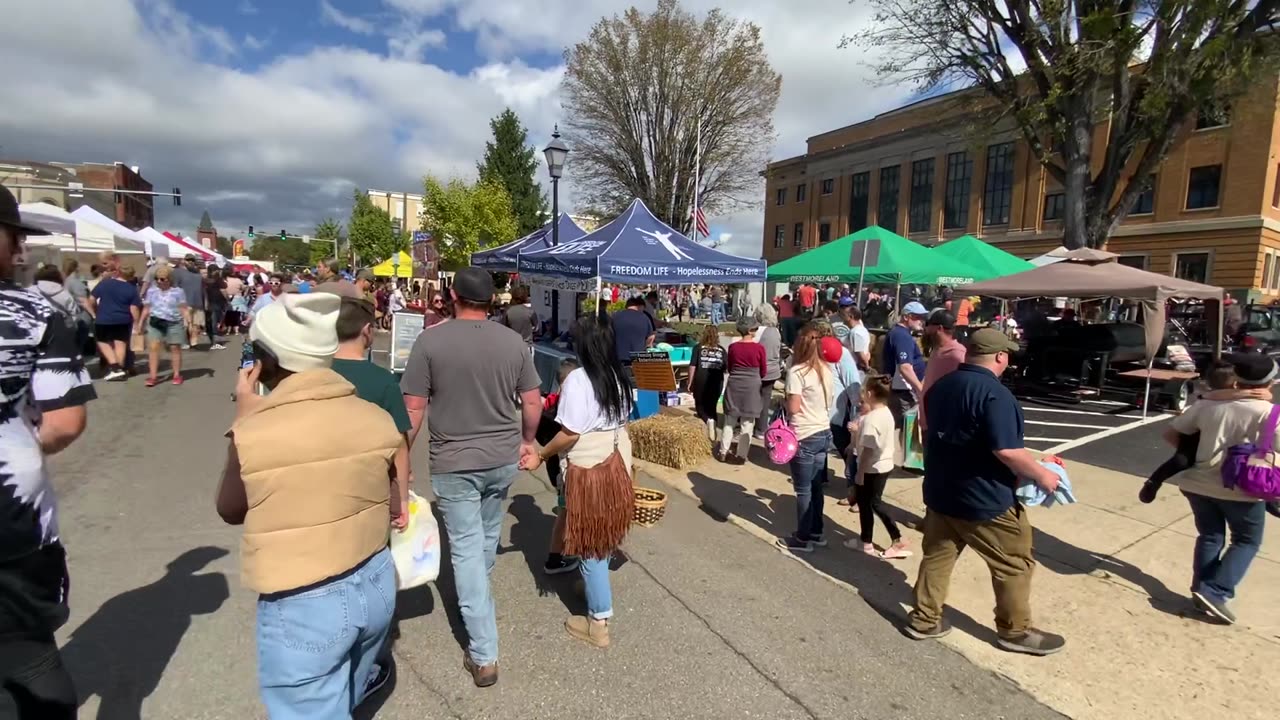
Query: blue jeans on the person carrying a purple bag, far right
[[1217, 573]]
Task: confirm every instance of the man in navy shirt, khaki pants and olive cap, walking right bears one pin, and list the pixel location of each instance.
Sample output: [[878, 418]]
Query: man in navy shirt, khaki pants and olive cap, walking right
[[973, 461]]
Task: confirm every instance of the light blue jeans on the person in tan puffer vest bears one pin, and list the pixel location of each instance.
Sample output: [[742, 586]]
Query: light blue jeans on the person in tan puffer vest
[[317, 649]]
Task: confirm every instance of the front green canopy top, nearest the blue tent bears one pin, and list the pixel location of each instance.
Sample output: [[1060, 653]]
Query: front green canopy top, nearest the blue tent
[[892, 259]]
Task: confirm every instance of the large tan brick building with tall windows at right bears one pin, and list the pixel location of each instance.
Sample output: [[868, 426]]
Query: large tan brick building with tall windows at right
[[1213, 213]]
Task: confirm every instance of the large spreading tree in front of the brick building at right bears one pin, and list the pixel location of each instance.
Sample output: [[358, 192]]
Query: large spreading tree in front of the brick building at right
[[1060, 70]]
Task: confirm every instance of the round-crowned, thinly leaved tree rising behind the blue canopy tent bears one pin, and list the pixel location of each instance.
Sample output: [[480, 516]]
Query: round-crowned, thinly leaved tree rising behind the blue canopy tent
[[634, 94]]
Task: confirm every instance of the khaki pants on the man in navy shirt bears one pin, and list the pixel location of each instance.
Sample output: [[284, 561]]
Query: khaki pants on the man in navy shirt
[[1004, 544]]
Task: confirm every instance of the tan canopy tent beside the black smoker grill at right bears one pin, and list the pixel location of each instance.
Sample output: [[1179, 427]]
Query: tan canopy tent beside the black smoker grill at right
[[1094, 274]]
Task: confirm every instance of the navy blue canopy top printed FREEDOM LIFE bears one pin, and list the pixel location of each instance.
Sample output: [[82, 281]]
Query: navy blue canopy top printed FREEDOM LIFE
[[636, 249]]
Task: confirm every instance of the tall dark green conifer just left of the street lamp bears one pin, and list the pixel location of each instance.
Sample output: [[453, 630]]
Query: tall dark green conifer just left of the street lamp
[[511, 162]]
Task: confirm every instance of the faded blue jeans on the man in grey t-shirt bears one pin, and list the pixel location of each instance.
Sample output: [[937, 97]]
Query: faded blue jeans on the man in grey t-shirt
[[472, 507]]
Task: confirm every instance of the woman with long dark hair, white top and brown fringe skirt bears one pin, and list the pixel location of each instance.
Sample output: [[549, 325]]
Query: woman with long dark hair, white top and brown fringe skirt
[[595, 405]]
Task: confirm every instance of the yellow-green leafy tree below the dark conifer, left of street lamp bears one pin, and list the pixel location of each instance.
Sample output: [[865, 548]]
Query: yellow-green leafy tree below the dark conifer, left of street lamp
[[467, 217]]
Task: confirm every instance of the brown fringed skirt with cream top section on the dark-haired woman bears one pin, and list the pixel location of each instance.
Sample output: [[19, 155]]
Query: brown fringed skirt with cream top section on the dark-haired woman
[[600, 498]]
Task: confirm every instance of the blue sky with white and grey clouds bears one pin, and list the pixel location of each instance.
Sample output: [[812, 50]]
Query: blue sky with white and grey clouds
[[269, 112]]
